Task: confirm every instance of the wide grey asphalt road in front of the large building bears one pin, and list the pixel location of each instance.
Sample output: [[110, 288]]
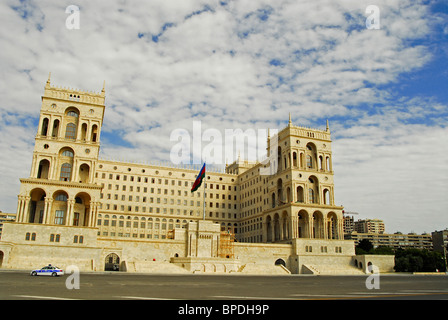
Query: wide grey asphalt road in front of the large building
[[19, 285]]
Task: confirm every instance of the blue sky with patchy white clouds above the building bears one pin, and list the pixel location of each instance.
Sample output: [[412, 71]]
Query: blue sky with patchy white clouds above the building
[[247, 64]]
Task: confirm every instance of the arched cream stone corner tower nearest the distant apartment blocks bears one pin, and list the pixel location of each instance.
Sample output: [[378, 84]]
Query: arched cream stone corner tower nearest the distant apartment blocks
[[301, 192]]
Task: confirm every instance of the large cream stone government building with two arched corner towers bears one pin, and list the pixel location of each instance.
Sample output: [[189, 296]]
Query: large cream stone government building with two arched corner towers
[[74, 199]]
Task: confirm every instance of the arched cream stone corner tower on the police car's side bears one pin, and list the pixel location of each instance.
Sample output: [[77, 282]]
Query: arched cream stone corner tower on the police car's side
[[61, 188]]
